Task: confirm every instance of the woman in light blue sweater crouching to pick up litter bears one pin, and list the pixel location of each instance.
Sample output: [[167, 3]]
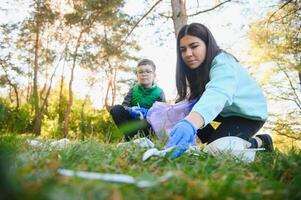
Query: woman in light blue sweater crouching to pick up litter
[[225, 91]]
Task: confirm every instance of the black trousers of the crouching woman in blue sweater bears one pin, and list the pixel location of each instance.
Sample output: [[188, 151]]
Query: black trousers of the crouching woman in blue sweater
[[230, 126]]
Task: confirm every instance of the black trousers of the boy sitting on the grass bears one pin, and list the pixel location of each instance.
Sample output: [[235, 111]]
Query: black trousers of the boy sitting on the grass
[[128, 125]]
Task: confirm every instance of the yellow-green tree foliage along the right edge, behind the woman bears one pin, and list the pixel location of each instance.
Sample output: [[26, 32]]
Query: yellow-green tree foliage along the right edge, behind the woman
[[275, 41]]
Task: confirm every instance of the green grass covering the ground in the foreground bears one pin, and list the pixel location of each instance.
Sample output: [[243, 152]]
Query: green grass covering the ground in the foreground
[[31, 173]]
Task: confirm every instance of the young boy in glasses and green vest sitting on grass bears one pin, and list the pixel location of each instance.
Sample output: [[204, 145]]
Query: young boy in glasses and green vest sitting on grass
[[130, 117]]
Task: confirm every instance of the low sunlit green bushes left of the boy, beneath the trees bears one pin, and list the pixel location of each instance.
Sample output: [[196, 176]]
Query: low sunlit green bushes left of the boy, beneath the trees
[[86, 122]]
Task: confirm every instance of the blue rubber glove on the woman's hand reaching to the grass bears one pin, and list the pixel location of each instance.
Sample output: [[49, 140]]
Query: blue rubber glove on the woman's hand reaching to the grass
[[182, 136]]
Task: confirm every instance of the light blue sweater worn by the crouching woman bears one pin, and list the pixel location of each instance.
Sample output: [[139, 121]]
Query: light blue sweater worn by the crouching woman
[[231, 92]]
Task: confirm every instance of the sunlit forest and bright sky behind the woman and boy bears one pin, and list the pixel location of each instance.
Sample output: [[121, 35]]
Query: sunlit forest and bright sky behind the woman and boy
[[63, 64]]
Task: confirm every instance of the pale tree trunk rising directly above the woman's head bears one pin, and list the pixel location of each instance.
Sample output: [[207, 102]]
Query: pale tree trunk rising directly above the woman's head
[[179, 15]]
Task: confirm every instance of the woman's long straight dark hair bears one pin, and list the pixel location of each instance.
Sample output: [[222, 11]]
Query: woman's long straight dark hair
[[199, 77]]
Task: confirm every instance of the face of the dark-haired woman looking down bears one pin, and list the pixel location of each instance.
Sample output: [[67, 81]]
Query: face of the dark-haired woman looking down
[[193, 51]]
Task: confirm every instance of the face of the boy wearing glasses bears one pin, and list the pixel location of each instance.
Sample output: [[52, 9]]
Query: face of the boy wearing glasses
[[145, 75]]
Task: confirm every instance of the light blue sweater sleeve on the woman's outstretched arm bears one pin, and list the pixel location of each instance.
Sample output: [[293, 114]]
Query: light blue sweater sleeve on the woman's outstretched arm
[[219, 91]]
